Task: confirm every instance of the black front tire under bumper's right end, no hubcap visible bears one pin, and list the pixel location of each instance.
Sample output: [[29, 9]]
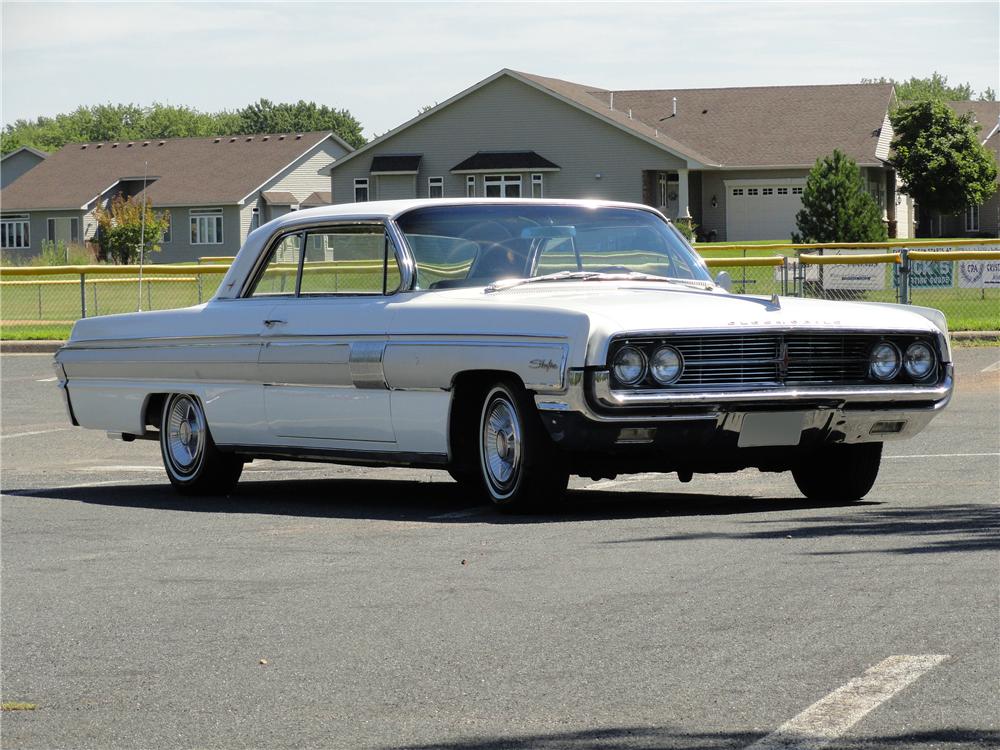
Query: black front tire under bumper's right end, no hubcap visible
[[841, 472]]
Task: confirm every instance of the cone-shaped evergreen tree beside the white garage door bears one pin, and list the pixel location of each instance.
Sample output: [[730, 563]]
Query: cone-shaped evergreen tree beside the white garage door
[[835, 205]]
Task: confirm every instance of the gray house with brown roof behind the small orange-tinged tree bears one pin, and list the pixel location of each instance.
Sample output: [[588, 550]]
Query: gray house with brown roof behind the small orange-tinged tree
[[216, 190]]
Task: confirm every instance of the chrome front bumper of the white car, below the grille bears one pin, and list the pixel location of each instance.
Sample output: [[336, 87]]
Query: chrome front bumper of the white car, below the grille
[[843, 414]]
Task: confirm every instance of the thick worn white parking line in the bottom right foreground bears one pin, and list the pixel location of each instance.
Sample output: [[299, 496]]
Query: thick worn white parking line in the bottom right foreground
[[828, 718]]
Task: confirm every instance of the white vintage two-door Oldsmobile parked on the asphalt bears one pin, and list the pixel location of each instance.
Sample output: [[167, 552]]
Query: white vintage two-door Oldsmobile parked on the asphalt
[[513, 343]]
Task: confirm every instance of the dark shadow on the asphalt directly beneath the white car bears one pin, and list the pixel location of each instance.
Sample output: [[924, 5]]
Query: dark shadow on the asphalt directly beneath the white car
[[416, 501]]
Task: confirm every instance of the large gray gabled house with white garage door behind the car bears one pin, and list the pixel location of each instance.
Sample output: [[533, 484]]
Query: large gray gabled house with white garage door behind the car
[[734, 160]]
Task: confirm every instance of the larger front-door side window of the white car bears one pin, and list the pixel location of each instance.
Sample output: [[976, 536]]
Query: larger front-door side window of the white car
[[349, 260]]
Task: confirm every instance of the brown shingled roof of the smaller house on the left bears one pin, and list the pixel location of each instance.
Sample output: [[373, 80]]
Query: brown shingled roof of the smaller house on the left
[[189, 171]]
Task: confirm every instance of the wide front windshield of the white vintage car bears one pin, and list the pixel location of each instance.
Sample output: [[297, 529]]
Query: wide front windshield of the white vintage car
[[479, 244]]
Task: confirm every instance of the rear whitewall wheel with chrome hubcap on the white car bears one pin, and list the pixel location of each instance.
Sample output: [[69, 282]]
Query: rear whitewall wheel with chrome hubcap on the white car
[[193, 462]]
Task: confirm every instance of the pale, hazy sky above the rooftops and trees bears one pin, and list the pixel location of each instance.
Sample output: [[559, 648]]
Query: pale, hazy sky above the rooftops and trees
[[384, 61]]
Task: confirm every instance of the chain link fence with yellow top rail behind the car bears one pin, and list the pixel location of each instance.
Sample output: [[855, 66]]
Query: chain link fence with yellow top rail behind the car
[[961, 278]]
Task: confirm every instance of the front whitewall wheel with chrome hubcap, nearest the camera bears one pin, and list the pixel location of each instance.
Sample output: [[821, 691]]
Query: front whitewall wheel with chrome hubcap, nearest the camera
[[519, 465]]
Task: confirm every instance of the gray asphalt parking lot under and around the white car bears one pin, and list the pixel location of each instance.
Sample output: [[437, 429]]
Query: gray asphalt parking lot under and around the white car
[[333, 607]]
